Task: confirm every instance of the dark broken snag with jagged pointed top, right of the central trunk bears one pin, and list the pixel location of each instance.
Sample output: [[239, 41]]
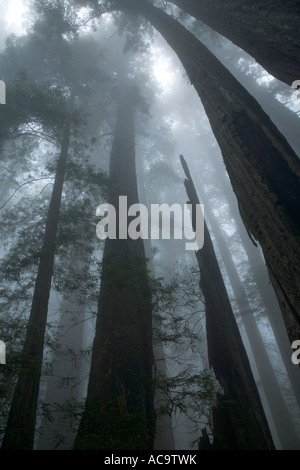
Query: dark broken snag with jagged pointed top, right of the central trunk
[[239, 419]]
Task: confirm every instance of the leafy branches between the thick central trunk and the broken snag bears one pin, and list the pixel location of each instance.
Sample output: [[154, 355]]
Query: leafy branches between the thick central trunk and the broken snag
[[185, 387]]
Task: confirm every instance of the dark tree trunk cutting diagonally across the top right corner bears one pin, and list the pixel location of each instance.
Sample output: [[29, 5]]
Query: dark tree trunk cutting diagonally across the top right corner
[[268, 30]]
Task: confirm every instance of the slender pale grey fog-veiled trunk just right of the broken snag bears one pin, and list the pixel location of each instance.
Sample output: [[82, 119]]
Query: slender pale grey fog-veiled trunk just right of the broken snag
[[280, 415]]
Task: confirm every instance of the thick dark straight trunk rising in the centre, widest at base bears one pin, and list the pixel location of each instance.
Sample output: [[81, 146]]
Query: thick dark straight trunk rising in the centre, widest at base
[[119, 411]]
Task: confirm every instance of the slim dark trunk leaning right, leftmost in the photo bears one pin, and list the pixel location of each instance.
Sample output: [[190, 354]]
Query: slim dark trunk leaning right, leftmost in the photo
[[19, 433]]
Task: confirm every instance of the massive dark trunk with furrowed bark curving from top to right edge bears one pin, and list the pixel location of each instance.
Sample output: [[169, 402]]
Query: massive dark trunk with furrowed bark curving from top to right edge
[[264, 170]]
